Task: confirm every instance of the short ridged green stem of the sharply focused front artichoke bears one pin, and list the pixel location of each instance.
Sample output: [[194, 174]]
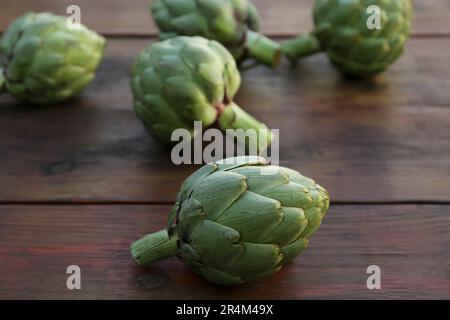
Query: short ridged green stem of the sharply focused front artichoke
[[153, 247]]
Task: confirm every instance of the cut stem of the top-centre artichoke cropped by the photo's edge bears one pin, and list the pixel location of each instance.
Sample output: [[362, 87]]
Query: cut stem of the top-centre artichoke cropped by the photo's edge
[[263, 49]]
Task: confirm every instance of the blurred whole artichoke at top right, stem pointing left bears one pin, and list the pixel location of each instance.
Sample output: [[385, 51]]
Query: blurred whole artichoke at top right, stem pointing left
[[342, 32]]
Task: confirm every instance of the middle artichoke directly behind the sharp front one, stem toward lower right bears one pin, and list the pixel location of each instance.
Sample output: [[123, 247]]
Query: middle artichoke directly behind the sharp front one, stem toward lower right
[[185, 79]]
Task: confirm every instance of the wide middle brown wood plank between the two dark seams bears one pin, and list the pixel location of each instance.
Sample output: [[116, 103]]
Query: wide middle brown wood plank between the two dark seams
[[379, 141]]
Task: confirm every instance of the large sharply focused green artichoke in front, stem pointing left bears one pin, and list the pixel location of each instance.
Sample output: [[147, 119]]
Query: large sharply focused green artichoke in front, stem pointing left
[[238, 220]]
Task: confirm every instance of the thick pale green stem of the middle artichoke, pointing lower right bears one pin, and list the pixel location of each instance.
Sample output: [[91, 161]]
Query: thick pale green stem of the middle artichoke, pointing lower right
[[233, 117]]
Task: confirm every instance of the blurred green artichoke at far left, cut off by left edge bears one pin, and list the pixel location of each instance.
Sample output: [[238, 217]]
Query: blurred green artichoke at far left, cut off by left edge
[[44, 61]]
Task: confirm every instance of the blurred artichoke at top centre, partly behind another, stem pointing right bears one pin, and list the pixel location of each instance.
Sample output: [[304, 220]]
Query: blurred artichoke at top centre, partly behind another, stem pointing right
[[234, 23]]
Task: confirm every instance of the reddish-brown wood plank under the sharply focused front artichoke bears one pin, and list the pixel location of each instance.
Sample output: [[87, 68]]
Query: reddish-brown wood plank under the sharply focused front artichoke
[[37, 243]]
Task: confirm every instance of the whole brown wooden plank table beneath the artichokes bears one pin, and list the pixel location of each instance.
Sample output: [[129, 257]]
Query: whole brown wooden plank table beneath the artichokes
[[81, 181]]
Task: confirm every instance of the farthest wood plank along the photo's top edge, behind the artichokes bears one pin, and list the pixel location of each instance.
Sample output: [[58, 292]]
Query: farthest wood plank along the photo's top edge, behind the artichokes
[[285, 17]]
